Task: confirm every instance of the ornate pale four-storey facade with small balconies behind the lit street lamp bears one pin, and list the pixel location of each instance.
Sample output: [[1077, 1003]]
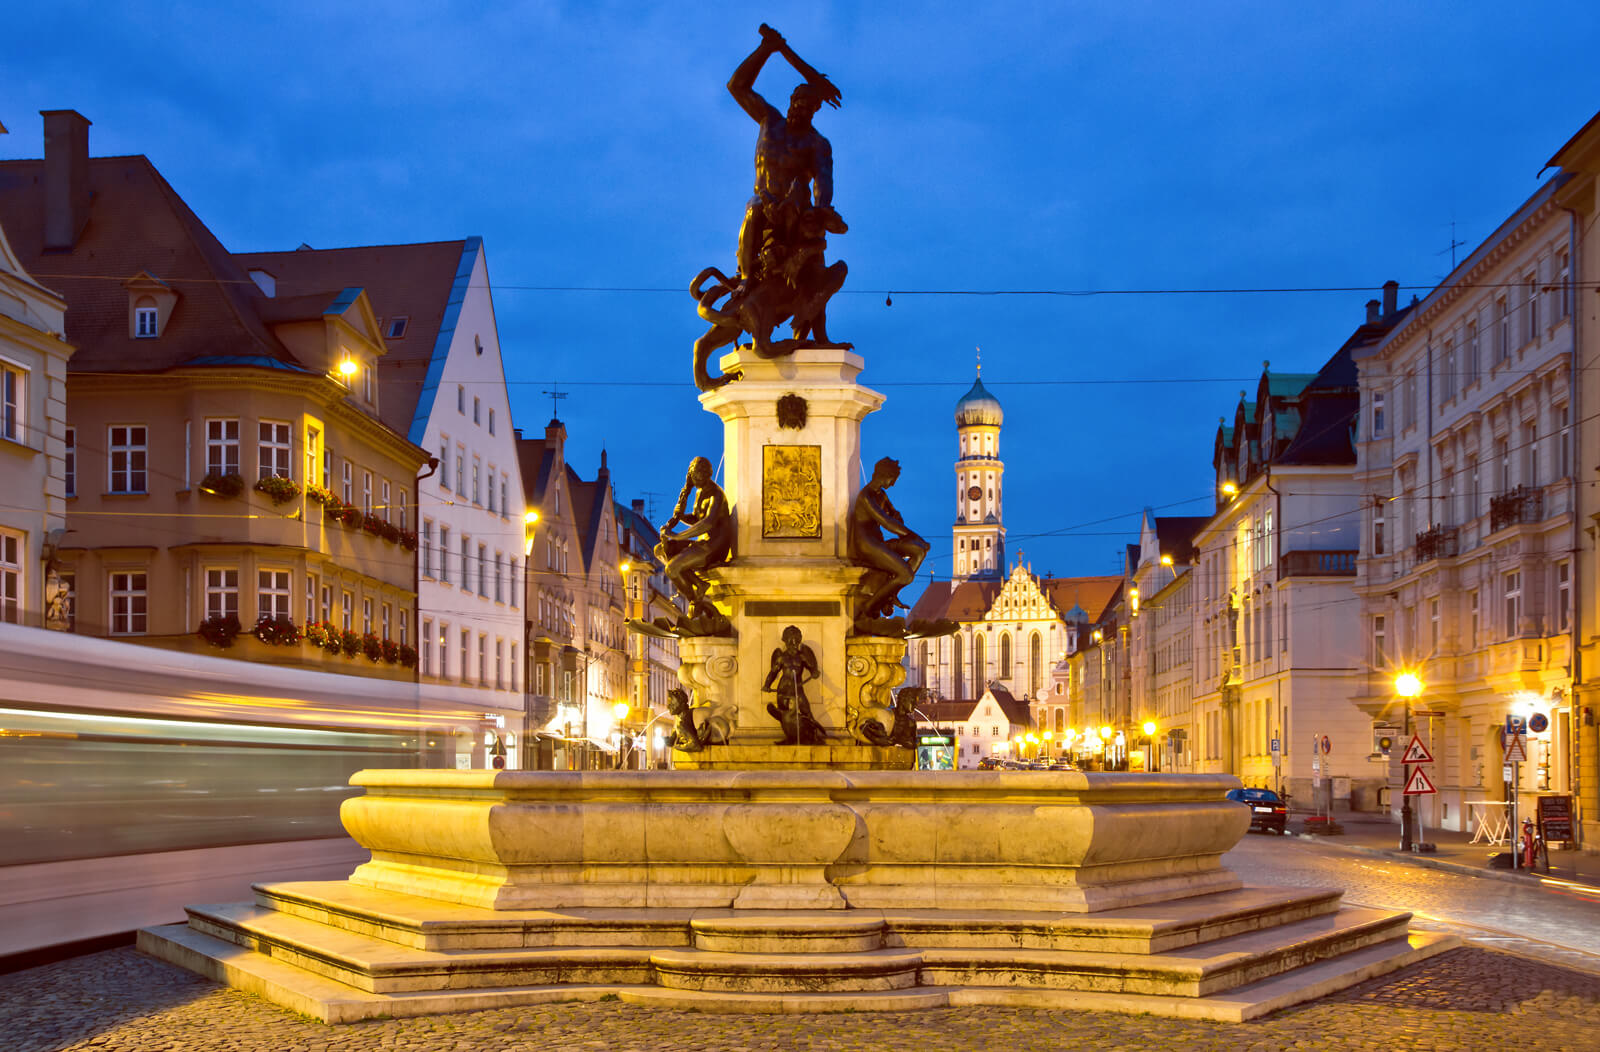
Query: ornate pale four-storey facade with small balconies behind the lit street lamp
[[1466, 568]]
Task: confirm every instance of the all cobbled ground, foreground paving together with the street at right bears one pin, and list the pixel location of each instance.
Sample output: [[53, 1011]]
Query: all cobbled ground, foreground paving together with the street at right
[[1466, 1000]]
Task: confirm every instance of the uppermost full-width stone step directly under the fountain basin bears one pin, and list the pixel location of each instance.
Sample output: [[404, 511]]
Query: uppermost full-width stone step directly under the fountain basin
[[431, 925]]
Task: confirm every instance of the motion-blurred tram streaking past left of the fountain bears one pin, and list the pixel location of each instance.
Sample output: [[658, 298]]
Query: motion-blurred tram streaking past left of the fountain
[[137, 781]]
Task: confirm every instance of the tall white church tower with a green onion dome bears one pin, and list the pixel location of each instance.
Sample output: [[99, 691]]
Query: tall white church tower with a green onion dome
[[978, 543]]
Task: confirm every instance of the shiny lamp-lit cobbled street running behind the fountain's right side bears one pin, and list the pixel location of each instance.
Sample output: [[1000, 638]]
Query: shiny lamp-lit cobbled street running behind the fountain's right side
[[1548, 920]]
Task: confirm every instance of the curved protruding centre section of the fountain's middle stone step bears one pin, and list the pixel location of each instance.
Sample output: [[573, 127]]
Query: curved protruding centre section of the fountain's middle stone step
[[786, 973]]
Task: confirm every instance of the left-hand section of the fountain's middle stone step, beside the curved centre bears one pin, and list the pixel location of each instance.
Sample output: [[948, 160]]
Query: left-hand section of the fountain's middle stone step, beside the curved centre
[[378, 966]]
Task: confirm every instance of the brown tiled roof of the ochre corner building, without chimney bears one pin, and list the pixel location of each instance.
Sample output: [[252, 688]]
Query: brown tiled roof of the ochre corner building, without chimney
[[138, 225]]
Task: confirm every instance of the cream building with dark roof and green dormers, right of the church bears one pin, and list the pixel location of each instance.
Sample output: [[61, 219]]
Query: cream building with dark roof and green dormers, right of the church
[[1279, 655]]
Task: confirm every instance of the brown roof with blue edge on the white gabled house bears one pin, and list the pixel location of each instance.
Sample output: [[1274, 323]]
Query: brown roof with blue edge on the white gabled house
[[425, 284]]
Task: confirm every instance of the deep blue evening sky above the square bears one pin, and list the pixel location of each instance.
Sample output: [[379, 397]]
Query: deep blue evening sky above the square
[[996, 146]]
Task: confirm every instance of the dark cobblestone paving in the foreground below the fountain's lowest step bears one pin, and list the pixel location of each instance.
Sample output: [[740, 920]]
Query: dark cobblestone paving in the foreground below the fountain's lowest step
[[1471, 998]]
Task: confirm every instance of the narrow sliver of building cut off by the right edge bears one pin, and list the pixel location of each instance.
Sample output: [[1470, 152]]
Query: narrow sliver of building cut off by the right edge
[[1580, 193]]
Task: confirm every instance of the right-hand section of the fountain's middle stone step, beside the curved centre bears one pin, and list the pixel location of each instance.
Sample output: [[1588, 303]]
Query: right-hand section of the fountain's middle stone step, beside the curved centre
[[1191, 973]]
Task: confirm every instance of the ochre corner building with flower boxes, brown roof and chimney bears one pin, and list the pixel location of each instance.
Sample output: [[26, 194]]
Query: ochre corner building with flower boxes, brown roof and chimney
[[225, 453]]
